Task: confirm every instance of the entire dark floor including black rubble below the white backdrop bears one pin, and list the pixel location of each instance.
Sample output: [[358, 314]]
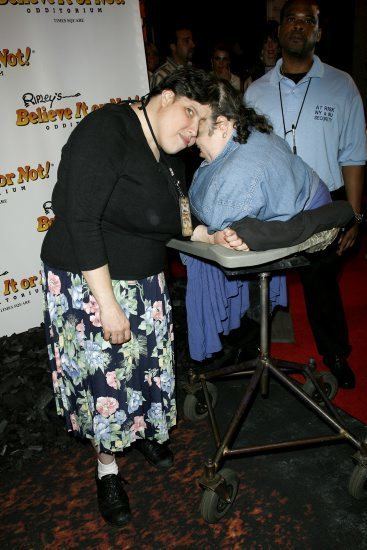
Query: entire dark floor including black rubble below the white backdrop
[[294, 500]]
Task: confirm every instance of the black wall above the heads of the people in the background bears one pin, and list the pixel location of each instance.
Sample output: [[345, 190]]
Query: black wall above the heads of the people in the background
[[242, 21]]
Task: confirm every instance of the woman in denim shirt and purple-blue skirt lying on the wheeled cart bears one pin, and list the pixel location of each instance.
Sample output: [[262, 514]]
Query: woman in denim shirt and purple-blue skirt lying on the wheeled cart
[[248, 171]]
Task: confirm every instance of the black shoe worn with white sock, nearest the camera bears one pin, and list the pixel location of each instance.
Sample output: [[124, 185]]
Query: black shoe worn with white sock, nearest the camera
[[113, 501]]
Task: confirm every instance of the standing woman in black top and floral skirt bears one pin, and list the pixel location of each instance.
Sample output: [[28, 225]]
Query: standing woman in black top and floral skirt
[[108, 314]]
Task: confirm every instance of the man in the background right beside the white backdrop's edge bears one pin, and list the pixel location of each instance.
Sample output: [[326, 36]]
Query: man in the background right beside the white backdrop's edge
[[182, 46]]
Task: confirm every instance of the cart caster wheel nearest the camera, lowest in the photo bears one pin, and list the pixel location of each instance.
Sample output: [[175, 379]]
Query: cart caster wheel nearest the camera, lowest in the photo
[[212, 507]]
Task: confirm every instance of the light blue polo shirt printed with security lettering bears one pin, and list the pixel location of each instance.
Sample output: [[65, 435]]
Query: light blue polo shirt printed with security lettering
[[331, 128]]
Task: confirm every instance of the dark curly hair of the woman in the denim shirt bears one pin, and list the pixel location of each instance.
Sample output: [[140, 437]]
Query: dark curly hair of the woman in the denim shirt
[[228, 102]]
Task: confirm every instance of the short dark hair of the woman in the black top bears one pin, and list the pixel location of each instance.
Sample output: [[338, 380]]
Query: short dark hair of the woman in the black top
[[186, 82]]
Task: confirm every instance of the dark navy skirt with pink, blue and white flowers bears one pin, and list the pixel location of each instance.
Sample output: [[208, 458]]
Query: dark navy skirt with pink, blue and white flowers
[[111, 394]]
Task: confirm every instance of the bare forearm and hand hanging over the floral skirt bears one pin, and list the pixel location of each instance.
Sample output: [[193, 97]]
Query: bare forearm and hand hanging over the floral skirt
[[115, 325]]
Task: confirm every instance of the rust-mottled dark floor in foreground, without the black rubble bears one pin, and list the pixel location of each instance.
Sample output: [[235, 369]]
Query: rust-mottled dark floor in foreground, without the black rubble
[[296, 499]]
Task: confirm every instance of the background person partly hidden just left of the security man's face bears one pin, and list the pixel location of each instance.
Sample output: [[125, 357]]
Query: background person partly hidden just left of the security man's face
[[268, 54]]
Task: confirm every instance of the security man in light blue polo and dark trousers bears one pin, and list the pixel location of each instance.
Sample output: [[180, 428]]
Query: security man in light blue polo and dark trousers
[[318, 110]]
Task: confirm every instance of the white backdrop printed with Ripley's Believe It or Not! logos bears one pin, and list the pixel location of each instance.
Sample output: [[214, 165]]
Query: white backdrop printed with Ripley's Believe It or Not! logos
[[59, 60]]
